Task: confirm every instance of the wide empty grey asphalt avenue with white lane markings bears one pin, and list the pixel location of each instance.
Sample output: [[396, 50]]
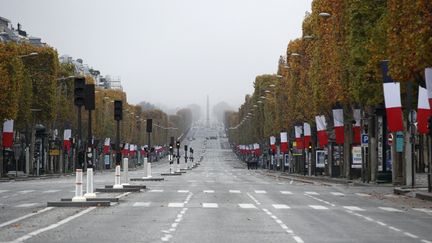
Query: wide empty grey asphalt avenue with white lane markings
[[220, 201]]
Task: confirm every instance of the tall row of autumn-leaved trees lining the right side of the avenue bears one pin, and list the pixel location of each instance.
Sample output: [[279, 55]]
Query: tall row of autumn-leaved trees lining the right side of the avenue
[[336, 61]]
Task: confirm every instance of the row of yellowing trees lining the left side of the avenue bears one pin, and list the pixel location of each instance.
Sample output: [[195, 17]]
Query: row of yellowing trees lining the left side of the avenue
[[36, 88]]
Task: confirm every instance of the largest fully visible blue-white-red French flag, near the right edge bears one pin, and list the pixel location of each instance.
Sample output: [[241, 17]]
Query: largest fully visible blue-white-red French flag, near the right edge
[[392, 101]]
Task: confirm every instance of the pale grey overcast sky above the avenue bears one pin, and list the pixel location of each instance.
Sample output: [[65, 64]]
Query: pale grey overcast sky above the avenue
[[170, 52]]
